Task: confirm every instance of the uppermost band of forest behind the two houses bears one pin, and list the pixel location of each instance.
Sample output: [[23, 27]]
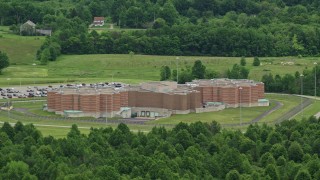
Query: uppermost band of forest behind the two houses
[[140, 13]]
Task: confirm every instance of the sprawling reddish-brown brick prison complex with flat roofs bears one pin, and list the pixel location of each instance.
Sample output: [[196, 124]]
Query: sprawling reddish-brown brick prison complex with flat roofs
[[156, 99]]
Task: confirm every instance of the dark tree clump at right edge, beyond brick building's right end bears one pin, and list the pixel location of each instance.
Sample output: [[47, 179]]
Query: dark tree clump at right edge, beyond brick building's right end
[[298, 83]]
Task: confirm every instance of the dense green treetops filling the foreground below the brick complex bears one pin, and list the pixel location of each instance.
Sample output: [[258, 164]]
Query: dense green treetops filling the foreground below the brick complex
[[197, 151]]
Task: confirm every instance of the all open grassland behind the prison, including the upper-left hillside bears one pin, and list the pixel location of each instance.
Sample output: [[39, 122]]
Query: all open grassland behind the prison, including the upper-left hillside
[[126, 68]]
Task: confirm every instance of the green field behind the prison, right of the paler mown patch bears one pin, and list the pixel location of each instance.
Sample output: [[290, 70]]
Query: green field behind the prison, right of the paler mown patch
[[146, 67]]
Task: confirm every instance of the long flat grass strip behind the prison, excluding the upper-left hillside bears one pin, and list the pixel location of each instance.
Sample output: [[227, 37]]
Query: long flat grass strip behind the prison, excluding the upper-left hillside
[[136, 68]]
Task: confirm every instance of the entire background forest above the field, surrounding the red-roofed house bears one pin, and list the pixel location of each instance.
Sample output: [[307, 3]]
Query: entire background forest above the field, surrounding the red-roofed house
[[174, 27]]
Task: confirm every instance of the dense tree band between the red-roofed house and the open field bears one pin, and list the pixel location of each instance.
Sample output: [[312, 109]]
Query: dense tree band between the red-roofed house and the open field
[[190, 39]]
